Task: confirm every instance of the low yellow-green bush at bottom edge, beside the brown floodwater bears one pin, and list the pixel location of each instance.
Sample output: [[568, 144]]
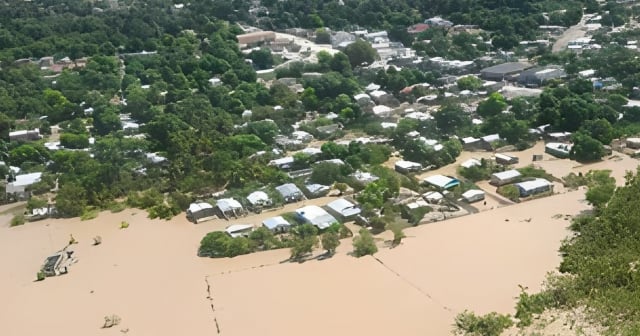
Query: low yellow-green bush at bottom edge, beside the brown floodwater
[[492, 324]]
